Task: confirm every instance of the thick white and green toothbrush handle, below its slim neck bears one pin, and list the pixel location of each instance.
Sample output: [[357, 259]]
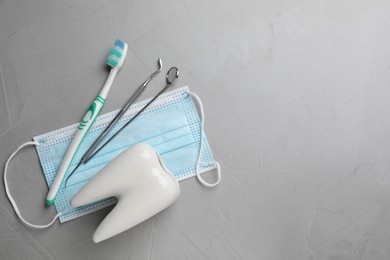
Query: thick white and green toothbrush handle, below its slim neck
[[83, 128]]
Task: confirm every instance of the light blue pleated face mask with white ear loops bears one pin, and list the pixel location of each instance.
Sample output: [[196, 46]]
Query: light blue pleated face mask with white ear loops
[[171, 125]]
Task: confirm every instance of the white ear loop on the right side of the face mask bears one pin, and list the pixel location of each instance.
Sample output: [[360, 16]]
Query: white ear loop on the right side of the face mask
[[201, 180]]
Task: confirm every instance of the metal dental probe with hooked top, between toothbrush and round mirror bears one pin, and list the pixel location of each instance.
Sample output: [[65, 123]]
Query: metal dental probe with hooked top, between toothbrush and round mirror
[[120, 114]]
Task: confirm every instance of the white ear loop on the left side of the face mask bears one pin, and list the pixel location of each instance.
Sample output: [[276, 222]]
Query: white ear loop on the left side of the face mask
[[11, 198]]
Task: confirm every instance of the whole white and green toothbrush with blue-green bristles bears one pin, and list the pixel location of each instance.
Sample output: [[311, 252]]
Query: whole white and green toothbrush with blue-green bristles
[[115, 60]]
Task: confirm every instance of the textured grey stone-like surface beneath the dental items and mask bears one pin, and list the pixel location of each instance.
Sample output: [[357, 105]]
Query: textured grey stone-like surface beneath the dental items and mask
[[296, 96]]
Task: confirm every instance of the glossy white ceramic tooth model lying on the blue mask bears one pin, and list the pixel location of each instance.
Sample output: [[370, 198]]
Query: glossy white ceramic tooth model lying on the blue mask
[[142, 183]]
